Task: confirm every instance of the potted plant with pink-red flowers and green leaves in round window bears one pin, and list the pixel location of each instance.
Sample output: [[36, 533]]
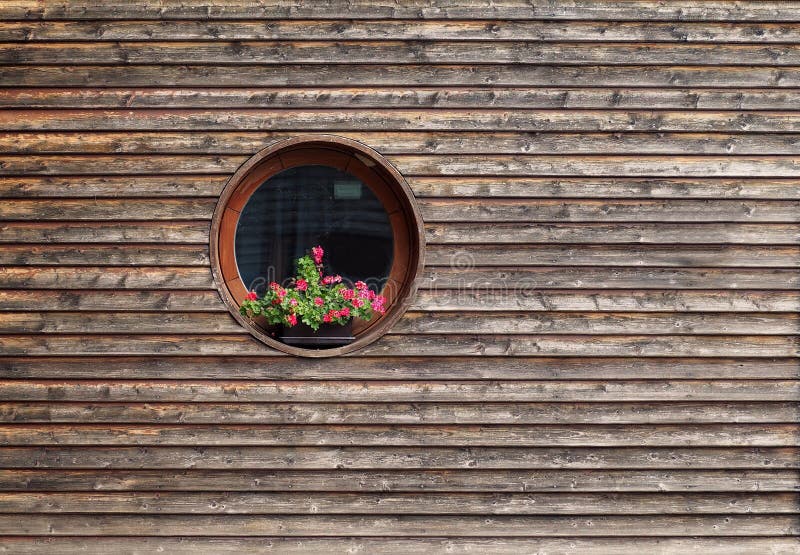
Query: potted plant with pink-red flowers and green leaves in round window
[[316, 309]]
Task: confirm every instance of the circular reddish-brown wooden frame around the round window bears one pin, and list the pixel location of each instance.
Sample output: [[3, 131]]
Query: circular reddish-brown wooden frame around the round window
[[346, 155]]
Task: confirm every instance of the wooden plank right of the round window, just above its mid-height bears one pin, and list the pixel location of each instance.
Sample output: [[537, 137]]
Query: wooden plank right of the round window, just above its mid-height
[[680, 233]]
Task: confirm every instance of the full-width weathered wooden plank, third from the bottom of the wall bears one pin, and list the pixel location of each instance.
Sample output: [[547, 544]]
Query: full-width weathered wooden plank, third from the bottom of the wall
[[399, 503]]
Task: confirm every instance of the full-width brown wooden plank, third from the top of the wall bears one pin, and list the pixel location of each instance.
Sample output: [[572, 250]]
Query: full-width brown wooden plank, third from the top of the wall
[[333, 53]]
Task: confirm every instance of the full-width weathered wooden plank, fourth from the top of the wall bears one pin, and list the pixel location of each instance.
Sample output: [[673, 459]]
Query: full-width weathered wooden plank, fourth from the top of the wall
[[400, 75]]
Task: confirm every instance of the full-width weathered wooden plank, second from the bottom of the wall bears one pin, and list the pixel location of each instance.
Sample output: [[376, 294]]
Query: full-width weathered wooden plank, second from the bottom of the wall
[[405, 525]]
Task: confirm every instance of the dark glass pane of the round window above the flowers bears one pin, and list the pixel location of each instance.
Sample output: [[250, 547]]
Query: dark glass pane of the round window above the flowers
[[306, 206]]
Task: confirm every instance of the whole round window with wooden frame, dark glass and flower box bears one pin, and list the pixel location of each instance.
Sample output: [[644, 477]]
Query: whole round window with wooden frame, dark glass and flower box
[[316, 243]]
